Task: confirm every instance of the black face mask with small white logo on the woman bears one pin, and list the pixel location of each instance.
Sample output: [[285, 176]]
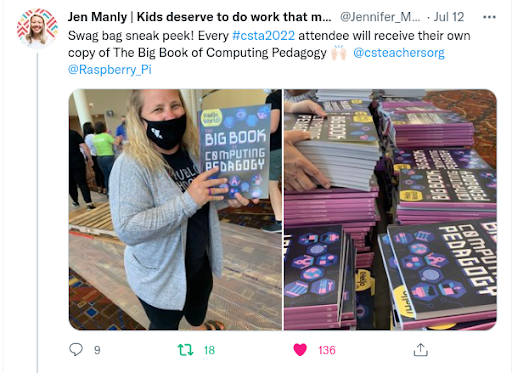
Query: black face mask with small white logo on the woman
[[167, 133]]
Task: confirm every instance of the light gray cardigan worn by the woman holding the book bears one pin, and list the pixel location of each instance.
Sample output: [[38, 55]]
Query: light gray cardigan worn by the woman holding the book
[[150, 215]]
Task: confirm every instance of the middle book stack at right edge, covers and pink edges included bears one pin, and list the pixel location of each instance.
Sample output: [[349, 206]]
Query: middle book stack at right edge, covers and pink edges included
[[428, 196]]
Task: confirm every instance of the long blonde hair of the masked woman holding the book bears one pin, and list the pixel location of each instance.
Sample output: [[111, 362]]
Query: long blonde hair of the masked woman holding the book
[[141, 148]]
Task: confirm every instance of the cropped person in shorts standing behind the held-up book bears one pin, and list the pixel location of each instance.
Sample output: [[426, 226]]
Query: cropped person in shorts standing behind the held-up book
[[276, 101]]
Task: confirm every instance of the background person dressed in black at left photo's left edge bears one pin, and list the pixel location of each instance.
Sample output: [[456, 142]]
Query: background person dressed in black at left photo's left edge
[[77, 170]]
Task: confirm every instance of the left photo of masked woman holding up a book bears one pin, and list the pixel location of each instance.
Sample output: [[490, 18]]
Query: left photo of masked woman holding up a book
[[175, 209]]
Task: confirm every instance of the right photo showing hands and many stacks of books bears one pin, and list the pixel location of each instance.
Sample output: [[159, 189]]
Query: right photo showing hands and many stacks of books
[[390, 209]]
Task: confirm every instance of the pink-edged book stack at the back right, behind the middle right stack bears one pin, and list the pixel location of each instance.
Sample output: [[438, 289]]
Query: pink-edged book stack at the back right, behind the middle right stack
[[429, 130]]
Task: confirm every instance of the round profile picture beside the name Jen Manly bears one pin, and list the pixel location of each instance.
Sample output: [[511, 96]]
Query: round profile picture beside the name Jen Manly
[[37, 28]]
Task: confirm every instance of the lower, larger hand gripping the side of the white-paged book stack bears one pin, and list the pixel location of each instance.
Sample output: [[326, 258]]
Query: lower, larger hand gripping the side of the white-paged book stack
[[299, 173]]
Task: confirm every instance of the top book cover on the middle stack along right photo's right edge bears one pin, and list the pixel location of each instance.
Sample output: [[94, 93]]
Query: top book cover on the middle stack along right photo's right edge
[[438, 189]]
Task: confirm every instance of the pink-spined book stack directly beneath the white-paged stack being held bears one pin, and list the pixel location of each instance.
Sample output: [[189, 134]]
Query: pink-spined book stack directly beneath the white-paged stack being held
[[353, 209]]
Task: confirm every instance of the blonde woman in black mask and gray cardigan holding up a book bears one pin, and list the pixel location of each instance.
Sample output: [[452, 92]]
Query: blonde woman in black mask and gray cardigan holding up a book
[[165, 210]]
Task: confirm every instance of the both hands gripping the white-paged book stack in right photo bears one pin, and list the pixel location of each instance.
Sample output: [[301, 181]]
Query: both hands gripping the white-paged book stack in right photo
[[299, 173]]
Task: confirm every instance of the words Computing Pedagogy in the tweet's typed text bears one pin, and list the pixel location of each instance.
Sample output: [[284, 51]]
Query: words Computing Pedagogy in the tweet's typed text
[[264, 54]]
